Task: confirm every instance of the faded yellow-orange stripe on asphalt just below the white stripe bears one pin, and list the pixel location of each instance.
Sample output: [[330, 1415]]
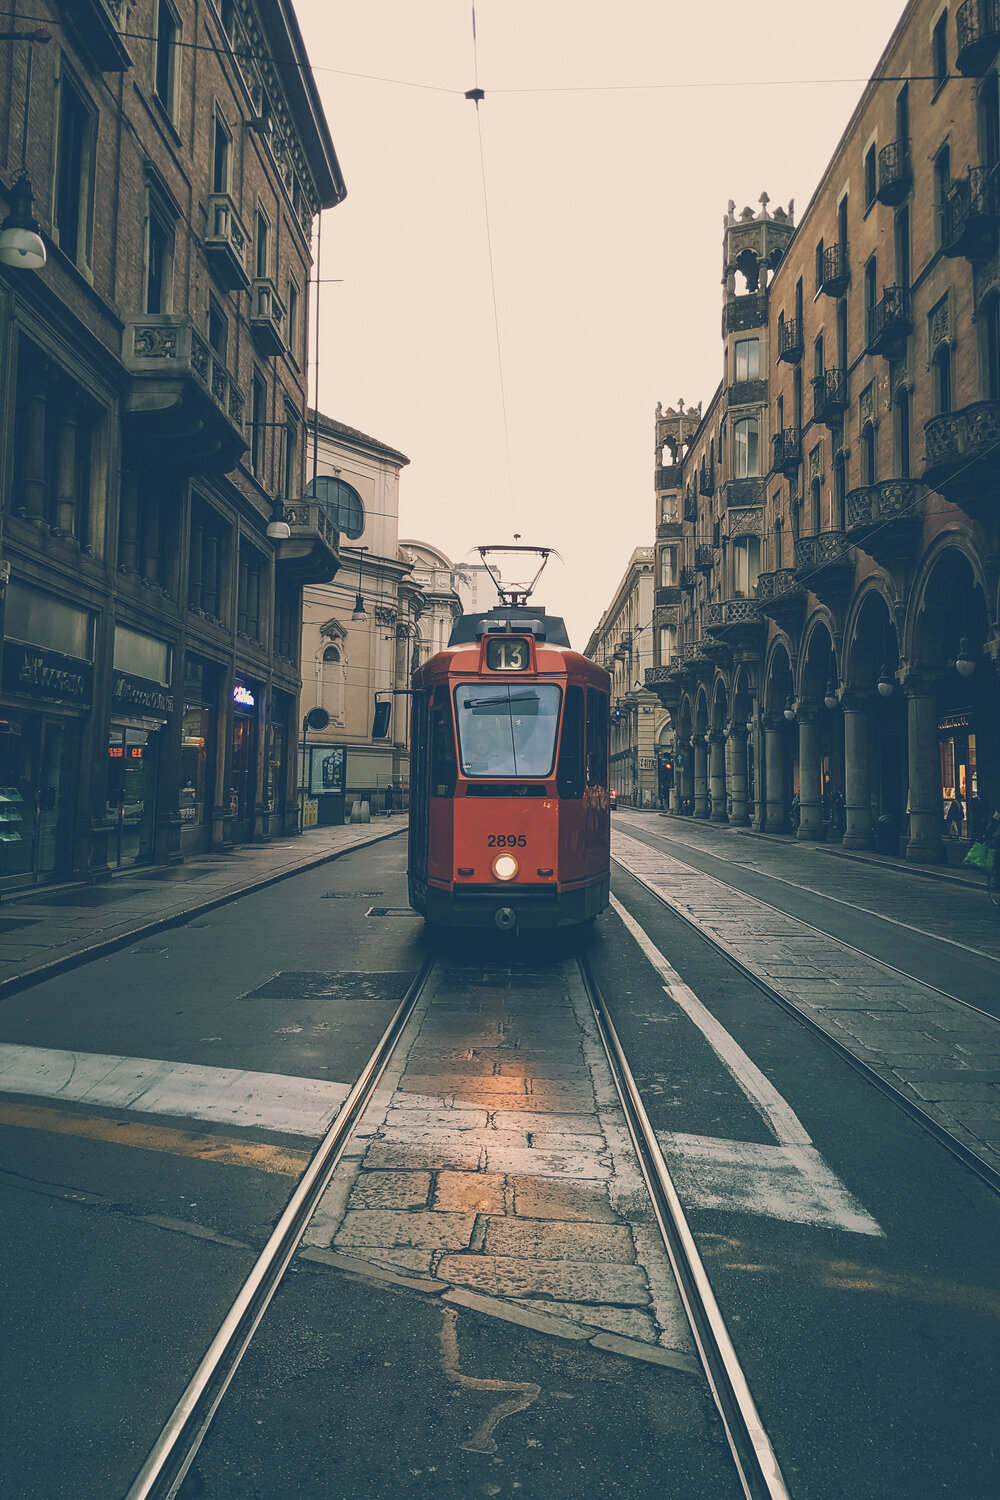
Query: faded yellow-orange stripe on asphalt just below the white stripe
[[230, 1151]]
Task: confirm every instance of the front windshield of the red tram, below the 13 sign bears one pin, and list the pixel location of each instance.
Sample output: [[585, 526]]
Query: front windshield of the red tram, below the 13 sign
[[507, 728]]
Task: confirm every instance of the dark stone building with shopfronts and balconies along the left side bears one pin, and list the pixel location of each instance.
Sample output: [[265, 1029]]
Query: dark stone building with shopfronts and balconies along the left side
[[152, 415]]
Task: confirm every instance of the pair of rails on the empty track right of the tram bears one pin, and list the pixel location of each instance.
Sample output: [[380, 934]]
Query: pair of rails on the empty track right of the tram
[[983, 1169]]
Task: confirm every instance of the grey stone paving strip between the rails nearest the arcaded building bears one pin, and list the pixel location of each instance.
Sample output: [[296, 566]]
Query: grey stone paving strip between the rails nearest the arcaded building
[[939, 1054]]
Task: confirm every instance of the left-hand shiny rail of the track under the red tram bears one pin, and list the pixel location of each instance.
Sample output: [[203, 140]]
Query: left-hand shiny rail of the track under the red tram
[[175, 1451]]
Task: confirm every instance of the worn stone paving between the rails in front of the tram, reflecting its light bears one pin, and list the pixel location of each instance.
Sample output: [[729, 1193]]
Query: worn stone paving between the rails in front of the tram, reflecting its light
[[497, 1160]]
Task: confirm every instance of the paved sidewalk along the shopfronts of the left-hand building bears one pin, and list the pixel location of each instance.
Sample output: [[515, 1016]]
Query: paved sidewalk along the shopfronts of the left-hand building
[[44, 932]]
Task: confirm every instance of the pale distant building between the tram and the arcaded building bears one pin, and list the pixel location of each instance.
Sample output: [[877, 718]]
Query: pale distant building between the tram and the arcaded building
[[623, 643]]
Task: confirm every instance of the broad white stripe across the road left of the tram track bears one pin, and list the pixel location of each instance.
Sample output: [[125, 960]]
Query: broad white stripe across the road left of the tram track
[[224, 1096]]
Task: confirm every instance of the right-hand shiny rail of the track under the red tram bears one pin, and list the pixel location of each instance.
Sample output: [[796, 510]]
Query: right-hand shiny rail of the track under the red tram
[[756, 1463]]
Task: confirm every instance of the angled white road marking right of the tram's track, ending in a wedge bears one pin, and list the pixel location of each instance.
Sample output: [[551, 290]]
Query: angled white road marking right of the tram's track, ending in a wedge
[[789, 1181]]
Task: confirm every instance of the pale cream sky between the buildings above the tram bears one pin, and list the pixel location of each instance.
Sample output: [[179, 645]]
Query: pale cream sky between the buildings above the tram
[[606, 202]]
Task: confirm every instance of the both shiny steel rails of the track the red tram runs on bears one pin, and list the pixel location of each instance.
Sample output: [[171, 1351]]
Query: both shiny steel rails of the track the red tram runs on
[[175, 1453]]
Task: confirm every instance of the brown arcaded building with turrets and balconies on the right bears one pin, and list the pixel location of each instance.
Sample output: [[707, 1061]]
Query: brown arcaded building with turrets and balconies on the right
[[828, 530]]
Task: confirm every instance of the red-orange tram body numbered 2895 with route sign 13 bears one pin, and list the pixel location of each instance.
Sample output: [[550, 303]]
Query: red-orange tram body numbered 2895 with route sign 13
[[509, 818]]
